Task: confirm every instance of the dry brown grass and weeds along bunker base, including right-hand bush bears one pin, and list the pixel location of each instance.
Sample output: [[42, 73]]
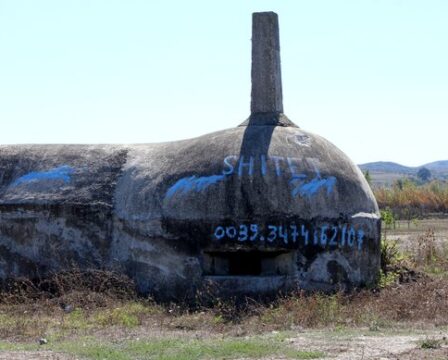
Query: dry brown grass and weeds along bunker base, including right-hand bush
[[96, 302]]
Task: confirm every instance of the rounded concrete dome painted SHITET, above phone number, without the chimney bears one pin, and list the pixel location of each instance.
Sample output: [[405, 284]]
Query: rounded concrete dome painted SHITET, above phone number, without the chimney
[[245, 172]]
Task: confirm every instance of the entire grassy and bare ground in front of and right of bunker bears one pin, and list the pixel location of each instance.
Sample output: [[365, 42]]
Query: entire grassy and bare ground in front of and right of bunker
[[97, 315]]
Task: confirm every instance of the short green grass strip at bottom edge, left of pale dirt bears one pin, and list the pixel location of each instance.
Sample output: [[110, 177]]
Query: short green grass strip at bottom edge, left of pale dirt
[[175, 348]]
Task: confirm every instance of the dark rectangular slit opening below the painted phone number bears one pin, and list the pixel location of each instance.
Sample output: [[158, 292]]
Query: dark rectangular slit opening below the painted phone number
[[248, 263]]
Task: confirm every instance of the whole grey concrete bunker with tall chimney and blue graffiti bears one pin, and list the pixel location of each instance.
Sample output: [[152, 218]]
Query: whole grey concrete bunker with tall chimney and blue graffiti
[[252, 210]]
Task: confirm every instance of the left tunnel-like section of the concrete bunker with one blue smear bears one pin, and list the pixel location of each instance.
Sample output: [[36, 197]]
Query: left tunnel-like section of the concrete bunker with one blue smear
[[56, 204]]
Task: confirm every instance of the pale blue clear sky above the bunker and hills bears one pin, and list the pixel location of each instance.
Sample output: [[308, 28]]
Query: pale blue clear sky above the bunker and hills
[[369, 75]]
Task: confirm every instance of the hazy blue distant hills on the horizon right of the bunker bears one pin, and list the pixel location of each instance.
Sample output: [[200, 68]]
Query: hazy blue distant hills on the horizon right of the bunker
[[384, 173]]
